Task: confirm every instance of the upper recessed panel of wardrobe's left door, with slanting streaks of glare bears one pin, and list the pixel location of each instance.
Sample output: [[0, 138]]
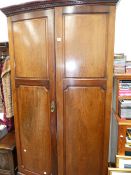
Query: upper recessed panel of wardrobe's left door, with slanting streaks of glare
[[31, 50]]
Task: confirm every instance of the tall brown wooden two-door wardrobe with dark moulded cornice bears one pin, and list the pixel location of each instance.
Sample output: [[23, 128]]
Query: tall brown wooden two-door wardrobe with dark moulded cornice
[[62, 67]]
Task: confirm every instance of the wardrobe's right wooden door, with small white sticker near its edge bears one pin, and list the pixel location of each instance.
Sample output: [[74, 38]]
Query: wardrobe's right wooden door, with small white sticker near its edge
[[84, 59]]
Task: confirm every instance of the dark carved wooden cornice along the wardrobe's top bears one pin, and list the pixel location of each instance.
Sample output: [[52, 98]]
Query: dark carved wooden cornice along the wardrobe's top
[[44, 4]]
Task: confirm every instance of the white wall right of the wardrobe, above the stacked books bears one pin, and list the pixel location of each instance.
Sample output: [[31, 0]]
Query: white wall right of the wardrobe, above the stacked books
[[123, 28]]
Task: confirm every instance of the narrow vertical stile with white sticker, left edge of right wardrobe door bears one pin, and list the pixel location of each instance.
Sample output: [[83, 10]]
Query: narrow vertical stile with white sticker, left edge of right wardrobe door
[[59, 86]]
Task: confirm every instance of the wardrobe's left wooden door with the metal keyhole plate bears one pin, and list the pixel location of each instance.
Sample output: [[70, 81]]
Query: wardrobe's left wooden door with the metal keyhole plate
[[31, 38]]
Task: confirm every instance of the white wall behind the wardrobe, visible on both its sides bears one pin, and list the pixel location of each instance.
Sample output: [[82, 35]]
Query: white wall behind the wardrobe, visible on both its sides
[[123, 25]]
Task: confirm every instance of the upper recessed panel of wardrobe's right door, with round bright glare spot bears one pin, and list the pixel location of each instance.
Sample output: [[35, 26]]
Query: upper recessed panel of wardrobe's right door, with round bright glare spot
[[85, 45]]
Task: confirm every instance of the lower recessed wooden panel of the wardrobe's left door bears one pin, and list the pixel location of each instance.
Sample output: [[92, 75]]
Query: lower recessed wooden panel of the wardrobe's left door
[[35, 134]]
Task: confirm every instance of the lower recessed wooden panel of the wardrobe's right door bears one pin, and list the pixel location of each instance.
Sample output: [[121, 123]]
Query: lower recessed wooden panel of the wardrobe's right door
[[83, 130]]
